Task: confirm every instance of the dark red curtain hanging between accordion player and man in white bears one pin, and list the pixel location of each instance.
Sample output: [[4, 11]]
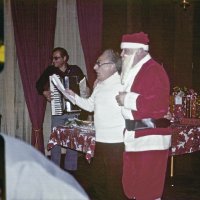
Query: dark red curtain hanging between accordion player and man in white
[[90, 27]]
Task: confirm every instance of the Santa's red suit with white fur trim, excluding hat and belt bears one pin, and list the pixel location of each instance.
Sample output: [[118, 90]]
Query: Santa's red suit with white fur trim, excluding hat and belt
[[146, 151]]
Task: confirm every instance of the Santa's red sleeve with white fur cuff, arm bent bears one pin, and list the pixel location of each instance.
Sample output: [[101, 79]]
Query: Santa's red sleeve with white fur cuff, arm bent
[[150, 93]]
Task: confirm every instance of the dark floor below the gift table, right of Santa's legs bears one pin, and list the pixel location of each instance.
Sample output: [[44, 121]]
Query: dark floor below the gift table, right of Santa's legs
[[185, 184]]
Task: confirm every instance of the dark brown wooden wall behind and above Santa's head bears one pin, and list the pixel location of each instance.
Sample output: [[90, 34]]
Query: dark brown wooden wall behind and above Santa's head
[[173, 32]]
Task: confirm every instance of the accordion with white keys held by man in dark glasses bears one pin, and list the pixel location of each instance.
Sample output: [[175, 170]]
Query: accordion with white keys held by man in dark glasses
[[59, 104]]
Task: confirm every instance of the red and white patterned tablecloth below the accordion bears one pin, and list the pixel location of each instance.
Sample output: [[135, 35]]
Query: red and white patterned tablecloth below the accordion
[[76, 138]]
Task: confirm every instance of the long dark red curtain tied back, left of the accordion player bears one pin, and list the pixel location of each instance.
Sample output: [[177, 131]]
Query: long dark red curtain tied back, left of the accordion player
[[34, 28]]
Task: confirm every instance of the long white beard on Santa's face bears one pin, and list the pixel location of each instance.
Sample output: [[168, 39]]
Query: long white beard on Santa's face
[[127, 64]]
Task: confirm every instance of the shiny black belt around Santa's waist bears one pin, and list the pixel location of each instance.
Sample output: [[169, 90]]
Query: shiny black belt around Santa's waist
[[133, 125]]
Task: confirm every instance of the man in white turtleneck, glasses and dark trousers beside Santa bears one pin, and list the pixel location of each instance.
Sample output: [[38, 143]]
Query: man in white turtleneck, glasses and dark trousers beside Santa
[[109, 125]]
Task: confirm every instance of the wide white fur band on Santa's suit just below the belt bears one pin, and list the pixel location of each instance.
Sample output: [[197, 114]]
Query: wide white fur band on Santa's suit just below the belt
[[146, 143]]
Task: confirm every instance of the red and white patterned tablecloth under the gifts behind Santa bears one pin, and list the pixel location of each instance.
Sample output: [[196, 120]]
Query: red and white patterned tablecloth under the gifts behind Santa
[[185, 139]]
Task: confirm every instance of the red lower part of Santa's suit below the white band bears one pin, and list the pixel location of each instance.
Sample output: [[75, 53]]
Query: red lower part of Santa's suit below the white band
[[144, 174]]
